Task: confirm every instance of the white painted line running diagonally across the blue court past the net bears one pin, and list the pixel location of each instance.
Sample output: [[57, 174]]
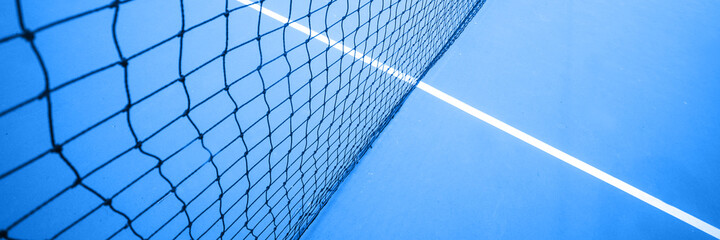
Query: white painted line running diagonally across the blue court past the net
[[597, 173]]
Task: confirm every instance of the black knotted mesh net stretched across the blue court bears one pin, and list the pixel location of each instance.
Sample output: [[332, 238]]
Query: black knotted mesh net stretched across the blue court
[[193, 119]]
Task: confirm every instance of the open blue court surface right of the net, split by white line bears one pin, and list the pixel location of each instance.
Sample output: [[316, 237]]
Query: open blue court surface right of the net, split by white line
[[629, 87]]
